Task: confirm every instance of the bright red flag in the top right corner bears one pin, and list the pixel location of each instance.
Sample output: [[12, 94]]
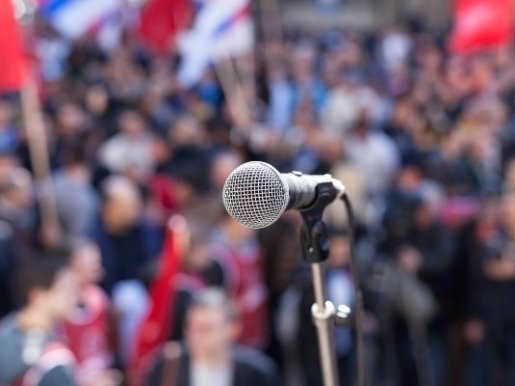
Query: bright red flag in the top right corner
[[481, 24]]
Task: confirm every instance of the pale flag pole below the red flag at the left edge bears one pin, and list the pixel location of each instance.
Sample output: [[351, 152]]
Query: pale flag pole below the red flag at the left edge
[[40, 160]]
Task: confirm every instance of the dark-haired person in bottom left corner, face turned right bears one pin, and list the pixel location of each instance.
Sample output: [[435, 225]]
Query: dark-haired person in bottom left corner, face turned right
[[31, 352]]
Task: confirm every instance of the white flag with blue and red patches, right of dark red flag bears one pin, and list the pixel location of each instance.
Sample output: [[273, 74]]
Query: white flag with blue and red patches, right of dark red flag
[[222, 29]]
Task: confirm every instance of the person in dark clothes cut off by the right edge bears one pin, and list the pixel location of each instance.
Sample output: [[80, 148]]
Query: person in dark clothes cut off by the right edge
[[489, 327]]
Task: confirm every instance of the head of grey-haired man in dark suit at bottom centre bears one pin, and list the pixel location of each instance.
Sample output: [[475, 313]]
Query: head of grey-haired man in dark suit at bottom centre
[[211, 325]]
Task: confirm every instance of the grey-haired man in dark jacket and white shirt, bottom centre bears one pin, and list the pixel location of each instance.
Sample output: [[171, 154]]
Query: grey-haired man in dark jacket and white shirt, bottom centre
[[210, 355]]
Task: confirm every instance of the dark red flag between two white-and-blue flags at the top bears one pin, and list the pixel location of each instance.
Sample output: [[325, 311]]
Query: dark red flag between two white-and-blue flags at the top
[[162, 20]]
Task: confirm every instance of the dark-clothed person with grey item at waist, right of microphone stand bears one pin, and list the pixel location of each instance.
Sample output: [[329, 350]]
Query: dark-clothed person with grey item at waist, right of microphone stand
[[420, 251]]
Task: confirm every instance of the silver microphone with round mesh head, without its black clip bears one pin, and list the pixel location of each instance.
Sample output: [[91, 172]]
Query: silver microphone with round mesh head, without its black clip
[[256, 194]]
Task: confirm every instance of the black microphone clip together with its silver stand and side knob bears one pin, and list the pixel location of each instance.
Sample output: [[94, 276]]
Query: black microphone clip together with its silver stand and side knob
[[315, 247]]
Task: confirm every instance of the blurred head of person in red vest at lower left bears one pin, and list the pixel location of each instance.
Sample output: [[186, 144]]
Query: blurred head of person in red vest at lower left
[[86, 262]]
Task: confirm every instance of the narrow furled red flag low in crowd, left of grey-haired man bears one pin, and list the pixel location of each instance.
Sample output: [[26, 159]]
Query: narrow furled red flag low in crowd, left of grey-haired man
[[157, 325]]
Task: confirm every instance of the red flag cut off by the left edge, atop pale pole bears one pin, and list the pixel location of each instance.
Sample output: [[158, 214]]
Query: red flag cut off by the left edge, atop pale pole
[[11, 63]]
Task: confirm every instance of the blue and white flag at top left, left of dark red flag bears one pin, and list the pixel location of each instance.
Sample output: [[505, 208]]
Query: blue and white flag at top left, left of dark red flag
[[75, 18]]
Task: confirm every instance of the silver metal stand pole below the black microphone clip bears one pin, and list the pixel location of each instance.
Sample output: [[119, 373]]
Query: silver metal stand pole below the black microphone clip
[[323, 313]]
